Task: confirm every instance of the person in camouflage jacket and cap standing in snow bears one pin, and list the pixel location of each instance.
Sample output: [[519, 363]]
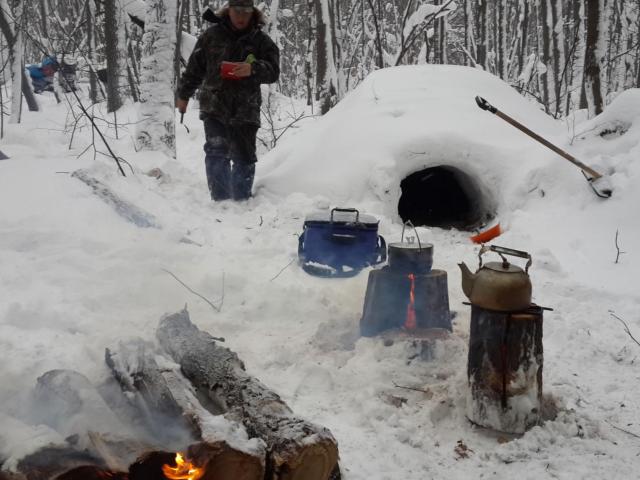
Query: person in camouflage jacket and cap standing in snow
[[230, 103]]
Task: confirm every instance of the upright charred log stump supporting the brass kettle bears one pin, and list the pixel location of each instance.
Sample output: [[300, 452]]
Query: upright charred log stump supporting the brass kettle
[[505, 368]]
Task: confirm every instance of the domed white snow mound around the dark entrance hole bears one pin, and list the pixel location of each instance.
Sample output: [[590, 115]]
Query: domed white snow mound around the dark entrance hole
[[405, 119]]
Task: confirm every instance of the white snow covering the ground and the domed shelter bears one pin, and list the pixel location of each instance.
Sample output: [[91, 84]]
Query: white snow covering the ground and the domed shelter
[[75, 277]]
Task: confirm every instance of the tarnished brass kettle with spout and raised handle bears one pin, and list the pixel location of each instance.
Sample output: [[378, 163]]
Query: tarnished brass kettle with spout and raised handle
[[498, 286]]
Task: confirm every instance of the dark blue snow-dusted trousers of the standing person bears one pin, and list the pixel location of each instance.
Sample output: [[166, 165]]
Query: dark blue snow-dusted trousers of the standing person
[[227, 145]]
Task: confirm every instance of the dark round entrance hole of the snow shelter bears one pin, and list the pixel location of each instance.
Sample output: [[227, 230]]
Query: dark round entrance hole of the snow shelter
[[444, 197]]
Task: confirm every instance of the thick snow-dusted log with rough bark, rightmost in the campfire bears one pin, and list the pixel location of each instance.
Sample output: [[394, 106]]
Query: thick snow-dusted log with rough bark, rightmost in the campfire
[[297, 449]]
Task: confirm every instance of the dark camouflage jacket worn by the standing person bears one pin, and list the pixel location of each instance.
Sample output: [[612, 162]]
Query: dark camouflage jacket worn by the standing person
[[233, 102]]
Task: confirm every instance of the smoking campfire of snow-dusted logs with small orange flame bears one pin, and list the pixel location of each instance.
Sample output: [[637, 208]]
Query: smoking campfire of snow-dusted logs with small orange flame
[[208, 405]]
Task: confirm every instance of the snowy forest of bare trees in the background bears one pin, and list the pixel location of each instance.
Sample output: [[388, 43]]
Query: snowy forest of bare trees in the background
[[567, 55]]
